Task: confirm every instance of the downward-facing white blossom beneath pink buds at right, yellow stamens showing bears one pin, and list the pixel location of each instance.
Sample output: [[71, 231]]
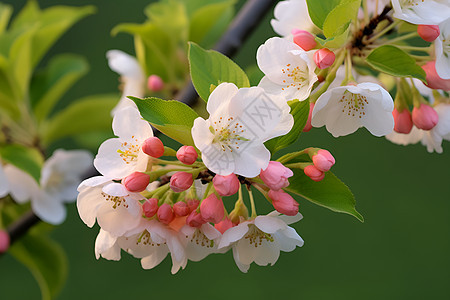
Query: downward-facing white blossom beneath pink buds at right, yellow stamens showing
[[345, 109]]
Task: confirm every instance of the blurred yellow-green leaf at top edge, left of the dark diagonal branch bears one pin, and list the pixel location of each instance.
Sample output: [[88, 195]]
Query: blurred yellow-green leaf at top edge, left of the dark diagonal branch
[[212, 18]]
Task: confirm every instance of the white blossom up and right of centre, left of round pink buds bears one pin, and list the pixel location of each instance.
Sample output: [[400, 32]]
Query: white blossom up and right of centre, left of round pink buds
[[288, 69]]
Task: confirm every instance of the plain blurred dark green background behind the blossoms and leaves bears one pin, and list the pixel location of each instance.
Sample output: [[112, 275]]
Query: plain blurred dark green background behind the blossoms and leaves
[[402, 251]]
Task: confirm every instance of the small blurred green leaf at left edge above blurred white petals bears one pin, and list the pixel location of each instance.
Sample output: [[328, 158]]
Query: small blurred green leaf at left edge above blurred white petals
[[25, 158]]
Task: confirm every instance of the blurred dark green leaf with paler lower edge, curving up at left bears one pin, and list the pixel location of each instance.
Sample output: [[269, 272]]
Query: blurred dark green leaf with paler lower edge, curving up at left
[[51, 84]]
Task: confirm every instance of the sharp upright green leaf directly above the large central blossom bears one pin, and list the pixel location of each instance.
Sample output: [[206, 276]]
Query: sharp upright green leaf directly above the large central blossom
[[210, 67]]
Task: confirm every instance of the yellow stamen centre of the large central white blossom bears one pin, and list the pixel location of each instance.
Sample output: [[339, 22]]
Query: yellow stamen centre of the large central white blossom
[[228, 134]]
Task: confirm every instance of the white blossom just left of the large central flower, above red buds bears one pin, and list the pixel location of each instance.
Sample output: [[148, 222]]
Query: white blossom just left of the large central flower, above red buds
[[121, 156]]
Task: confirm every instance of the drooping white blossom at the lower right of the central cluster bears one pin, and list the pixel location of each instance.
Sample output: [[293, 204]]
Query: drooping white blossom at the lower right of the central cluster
[[260, 240]]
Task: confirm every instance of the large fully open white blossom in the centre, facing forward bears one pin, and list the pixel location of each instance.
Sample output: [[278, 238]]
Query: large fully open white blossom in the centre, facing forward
[[232, 139]]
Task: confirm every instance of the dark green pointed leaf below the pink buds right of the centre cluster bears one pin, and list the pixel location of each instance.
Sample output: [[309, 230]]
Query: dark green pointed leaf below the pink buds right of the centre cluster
[[330, 192]]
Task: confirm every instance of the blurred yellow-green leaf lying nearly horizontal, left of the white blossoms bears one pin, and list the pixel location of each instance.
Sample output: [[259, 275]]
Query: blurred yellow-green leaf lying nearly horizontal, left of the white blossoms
[[92, 113]]
